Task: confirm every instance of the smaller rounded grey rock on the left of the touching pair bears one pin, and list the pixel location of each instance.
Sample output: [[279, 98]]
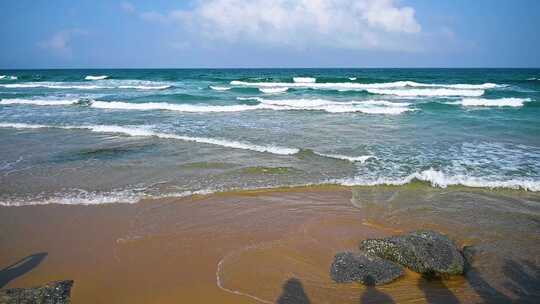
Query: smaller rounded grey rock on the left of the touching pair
[[359, 267]]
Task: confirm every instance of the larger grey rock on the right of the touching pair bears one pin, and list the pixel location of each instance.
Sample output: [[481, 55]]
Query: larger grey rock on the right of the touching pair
[[424, 251]]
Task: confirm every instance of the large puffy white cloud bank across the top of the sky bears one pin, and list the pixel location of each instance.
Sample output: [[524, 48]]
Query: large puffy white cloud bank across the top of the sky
[[338, 24]]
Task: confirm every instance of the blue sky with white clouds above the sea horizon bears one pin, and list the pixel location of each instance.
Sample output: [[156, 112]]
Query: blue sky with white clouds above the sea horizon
[[269, 33]]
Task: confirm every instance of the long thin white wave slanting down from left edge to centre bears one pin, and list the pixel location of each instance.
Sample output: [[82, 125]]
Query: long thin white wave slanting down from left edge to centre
[[147, 132]]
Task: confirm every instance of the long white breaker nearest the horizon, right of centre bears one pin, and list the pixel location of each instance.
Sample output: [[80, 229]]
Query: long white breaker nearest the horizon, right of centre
[[365, 86]]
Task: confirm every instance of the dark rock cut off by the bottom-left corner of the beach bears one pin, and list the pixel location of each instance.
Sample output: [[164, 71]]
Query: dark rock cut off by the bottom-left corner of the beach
[[58, 292]]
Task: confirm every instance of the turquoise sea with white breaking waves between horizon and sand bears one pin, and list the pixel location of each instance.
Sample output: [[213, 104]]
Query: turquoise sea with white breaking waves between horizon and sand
[[123, 135]]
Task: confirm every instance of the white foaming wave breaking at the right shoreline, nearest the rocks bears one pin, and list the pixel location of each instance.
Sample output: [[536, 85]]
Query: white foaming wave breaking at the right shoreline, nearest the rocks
[[442, 180]]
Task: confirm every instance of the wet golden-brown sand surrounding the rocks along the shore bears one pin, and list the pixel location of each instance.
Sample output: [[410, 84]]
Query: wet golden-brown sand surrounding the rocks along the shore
[[257, 247]]
